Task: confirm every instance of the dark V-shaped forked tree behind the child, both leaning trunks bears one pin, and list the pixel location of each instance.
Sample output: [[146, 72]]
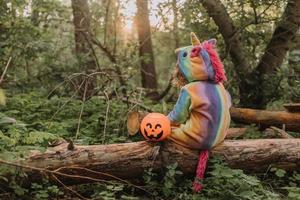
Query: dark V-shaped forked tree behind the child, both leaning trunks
[[255, 88]]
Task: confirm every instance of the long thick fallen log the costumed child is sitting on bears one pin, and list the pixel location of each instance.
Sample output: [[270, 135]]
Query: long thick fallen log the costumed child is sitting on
[[129, 160]]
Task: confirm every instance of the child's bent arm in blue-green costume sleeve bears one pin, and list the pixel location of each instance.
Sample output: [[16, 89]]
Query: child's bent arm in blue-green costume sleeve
[[180, 112]]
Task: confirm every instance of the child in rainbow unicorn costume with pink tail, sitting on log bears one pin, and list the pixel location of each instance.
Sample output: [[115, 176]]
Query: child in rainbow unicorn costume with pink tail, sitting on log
[[200, 118]]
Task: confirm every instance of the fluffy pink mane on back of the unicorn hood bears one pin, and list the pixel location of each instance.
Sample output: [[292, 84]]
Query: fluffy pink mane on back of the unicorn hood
[[215, 61]]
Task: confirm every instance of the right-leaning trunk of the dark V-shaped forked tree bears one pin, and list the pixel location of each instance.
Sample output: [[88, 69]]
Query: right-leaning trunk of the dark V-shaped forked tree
[[276, 50]]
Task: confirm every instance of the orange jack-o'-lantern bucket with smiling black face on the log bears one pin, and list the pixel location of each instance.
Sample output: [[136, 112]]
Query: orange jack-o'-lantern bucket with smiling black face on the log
[[155, 127]]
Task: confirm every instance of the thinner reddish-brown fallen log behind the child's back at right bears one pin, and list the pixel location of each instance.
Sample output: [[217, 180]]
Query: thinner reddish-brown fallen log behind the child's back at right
[[291, 121]]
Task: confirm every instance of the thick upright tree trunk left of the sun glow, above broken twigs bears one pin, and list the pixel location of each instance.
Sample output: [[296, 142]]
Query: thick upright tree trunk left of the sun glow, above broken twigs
[[81, 21]]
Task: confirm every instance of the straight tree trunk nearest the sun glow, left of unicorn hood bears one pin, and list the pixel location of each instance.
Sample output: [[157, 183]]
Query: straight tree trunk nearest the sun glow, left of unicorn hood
[[148, 73]]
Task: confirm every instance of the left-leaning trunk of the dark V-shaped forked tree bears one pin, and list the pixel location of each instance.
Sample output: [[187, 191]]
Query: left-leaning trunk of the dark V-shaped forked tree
[[217, 11]]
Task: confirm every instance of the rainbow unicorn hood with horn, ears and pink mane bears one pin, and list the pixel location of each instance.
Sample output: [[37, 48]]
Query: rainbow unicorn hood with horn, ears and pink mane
[[200, 61]]
